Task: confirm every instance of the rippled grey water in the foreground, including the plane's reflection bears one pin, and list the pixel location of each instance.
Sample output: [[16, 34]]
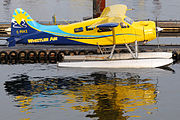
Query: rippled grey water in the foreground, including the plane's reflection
[[46, 92]]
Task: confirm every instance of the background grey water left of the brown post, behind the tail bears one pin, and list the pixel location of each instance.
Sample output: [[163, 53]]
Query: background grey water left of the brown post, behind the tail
[[63, 9]]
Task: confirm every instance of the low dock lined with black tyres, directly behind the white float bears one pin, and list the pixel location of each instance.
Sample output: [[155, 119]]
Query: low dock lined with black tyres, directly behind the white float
[[22, 54]]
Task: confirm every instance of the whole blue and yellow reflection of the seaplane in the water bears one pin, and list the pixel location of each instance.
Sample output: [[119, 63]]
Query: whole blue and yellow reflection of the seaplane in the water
[[102, 94]]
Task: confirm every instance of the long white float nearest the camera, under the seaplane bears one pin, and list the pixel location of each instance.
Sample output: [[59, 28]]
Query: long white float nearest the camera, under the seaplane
[[133, 63]]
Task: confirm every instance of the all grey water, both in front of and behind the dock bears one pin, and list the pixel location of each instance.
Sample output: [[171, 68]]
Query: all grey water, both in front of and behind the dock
[[44, 92]]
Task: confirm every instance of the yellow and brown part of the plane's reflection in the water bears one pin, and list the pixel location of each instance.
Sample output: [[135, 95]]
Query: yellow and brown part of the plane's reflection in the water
[[113, 100]]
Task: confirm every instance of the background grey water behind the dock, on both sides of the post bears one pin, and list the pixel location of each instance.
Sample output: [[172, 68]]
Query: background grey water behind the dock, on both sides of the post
[[43, 10]]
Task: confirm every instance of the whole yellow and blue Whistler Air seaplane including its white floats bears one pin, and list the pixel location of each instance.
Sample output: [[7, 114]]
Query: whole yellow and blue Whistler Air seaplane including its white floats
[[112, 28]]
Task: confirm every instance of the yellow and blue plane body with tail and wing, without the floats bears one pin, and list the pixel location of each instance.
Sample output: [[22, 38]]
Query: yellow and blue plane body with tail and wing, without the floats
[[113, 23]]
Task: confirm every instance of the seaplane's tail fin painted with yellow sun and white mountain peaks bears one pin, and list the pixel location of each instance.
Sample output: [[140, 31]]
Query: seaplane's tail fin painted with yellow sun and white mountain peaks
[[21, 24]]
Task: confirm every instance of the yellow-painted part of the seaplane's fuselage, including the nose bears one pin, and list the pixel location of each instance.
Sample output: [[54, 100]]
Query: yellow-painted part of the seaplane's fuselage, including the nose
[[129, 33]]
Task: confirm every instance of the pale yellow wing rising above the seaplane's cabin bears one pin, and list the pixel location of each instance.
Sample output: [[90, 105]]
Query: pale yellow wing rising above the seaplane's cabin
[[112, 14]]
